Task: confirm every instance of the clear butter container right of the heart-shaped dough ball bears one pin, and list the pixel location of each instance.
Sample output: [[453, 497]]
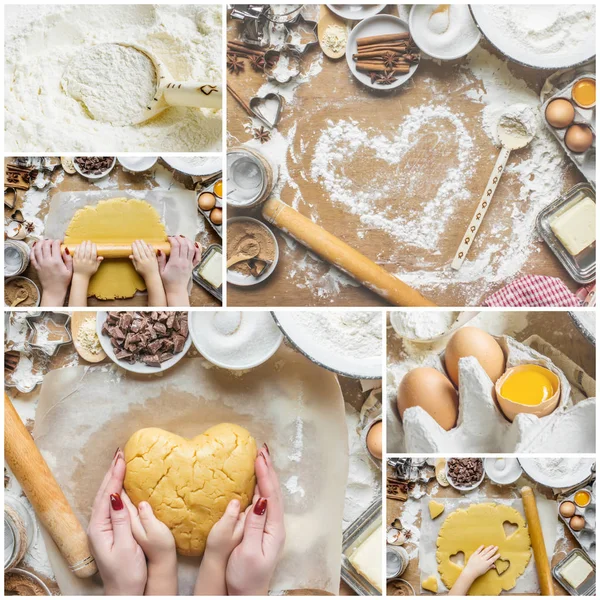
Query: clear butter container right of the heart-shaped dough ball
[[357, 534]]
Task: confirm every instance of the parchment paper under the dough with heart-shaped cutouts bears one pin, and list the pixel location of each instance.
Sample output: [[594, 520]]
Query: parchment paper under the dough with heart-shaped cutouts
[[528, 582]]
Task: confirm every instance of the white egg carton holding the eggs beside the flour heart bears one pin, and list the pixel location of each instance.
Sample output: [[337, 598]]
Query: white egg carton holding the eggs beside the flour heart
[[586, 161]]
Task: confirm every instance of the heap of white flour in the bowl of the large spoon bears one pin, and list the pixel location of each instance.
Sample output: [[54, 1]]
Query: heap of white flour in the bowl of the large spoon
[[113, 83]]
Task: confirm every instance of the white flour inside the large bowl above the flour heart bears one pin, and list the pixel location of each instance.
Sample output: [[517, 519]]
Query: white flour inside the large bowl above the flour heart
[[545, 28]]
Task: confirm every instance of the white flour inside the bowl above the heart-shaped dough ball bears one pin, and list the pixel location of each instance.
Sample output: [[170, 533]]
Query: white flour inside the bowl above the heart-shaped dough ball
[[354, 334]]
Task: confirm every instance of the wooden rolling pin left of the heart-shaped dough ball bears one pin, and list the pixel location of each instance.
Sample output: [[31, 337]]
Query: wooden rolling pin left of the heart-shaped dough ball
[[45, 495]]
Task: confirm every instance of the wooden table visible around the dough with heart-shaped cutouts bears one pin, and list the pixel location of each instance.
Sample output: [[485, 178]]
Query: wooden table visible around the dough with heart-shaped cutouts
[[412, 574]]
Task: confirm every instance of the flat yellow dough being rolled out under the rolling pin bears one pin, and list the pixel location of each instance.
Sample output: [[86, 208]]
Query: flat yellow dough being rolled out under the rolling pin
[[119, 220]]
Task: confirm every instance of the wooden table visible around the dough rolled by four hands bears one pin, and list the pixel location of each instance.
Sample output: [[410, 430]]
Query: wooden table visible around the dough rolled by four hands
[[125, 181]]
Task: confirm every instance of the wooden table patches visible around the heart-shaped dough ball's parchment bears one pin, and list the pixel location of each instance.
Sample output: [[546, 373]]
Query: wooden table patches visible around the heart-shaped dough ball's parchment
[[25, 405]]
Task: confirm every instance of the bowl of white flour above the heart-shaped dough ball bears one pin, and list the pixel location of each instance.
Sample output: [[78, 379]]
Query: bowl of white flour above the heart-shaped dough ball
[[349, 343]]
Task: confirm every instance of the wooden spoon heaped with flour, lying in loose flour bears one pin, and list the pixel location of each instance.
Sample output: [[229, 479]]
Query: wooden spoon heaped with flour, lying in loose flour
[[125, 84]]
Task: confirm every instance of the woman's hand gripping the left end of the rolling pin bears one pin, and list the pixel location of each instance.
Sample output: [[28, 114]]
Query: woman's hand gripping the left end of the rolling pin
[[54, 269]]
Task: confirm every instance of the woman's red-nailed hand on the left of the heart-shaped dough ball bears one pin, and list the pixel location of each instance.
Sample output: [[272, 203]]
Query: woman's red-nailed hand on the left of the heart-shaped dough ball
[[120, 559]]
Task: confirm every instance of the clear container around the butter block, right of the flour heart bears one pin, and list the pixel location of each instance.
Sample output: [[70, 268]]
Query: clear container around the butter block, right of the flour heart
[[581, 267]]
